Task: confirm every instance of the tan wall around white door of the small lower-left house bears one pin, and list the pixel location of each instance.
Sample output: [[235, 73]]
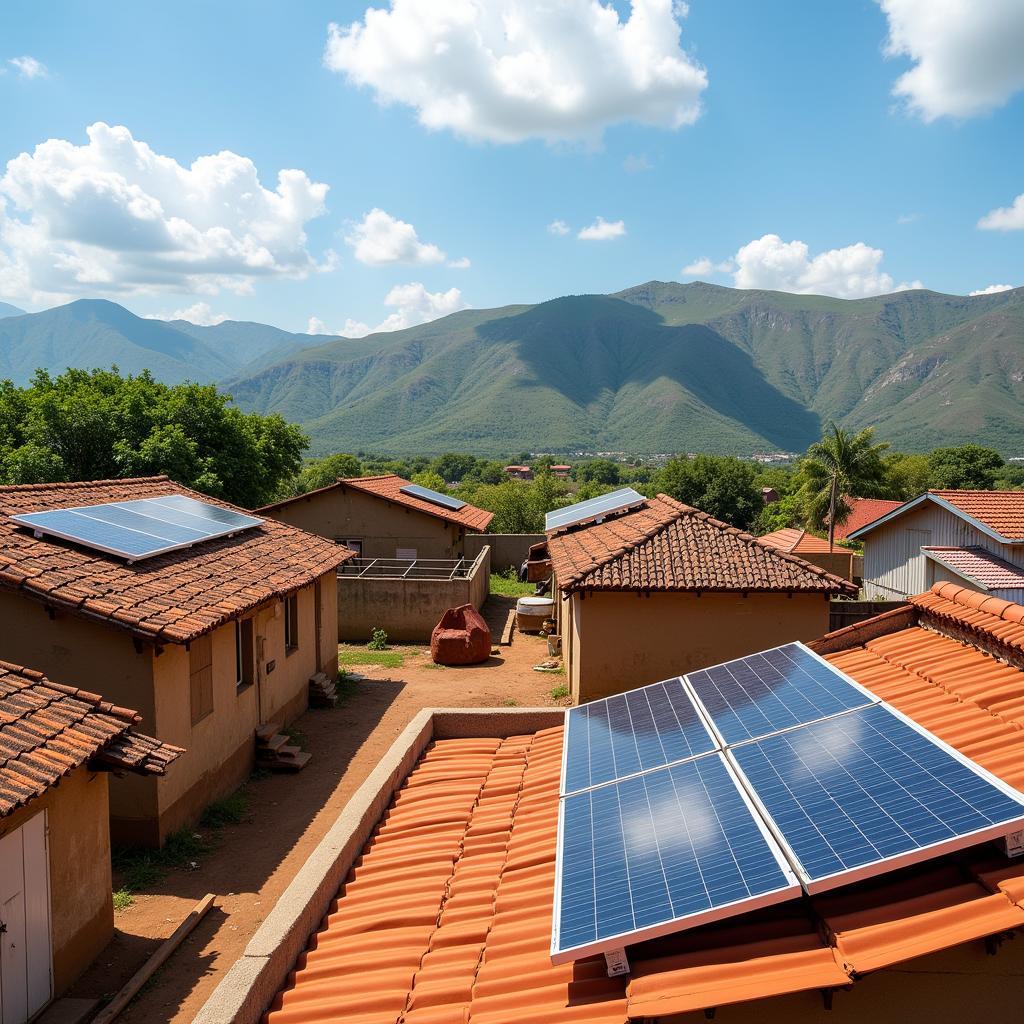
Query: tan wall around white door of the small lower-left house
[[79, 849]]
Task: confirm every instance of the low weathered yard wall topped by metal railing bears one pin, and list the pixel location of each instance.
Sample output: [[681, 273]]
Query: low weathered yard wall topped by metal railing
[[407, 610]]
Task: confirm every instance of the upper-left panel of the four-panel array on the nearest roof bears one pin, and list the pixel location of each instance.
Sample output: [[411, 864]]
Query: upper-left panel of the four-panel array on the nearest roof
[[632, 733]]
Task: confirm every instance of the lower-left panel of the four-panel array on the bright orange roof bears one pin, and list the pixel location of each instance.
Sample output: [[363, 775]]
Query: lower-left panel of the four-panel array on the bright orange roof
[[671, 849]]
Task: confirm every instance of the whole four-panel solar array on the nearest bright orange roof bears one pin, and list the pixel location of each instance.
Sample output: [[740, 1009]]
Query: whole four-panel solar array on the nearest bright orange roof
[[742, 785]]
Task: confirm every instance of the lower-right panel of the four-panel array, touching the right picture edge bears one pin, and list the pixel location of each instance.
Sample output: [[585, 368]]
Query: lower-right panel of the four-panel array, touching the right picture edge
[[868, 792]]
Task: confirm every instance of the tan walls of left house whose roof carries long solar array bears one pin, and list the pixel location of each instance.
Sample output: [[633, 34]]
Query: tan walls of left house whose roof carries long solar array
[[221, 748]]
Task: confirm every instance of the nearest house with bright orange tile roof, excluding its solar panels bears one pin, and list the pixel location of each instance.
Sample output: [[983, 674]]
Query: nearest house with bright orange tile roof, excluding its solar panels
[[443, 873]]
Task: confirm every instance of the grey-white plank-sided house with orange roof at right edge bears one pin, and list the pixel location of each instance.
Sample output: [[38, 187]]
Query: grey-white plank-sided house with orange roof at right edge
[[971, 538]]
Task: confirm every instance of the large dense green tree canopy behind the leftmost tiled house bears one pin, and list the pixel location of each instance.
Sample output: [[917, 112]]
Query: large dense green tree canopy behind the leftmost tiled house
[[90, 425]]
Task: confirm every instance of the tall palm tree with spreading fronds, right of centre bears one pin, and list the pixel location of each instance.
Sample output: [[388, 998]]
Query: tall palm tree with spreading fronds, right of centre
[[842, 463]]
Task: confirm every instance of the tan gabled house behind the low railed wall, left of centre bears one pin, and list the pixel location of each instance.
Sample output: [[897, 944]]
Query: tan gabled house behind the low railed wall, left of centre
[[376, 519]]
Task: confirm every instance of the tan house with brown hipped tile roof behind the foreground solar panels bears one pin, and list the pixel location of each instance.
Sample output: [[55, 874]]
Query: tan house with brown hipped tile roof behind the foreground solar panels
[[663, 589]]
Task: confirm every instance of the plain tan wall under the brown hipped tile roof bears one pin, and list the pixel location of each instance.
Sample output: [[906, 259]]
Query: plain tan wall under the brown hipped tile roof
[[624, 641]]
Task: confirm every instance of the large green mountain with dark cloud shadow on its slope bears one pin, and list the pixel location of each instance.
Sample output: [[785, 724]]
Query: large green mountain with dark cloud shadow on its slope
[[666, 368]]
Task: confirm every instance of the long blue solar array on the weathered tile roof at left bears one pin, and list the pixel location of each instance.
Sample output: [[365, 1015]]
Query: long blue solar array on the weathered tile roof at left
[[140, 529]]
